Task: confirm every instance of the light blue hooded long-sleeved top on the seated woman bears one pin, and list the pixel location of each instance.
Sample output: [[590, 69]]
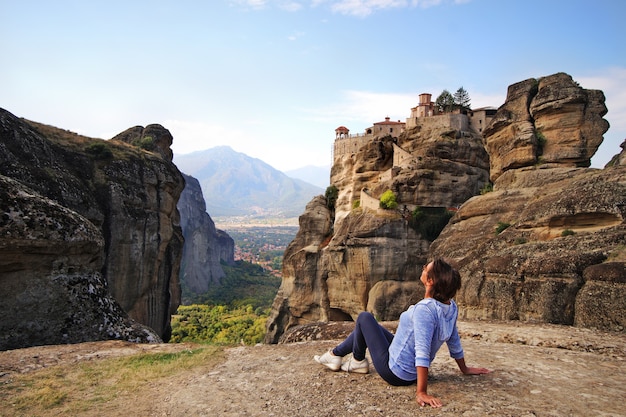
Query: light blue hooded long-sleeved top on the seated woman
[[422, 329]]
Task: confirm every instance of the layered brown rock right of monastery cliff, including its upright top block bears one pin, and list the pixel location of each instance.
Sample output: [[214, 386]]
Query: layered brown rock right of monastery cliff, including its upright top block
[[549, 243]]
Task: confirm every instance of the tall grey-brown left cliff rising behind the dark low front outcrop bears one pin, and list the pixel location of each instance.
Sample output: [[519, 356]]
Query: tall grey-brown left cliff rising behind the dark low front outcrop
[[129, 195]]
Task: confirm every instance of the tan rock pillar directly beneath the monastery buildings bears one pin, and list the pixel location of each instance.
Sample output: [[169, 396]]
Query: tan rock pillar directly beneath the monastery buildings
[[355, 256]]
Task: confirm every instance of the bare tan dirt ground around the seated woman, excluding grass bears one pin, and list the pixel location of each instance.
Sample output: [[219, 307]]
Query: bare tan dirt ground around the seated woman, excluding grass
[[538, 370]]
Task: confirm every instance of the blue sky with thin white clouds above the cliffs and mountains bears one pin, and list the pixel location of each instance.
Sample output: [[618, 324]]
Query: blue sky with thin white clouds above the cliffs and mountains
[[274, 78]]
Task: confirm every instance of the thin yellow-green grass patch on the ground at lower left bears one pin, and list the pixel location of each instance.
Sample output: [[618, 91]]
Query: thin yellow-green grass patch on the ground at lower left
[[74, 388]]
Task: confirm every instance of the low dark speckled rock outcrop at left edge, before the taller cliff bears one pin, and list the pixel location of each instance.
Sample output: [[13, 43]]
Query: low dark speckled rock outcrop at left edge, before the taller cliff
[[53, 291]]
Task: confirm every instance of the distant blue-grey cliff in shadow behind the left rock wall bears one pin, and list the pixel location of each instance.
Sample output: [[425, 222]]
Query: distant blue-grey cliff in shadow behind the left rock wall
[[205, 246]]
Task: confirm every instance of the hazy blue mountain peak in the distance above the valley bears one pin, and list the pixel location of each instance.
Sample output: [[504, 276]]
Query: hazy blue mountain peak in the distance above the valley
[[234, 184]]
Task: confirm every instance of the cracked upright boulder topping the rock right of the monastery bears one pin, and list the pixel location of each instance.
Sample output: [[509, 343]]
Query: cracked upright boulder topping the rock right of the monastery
[[549, 120]]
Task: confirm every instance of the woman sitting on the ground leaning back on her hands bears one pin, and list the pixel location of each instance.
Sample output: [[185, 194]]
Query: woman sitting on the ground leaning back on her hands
[[405, 358]]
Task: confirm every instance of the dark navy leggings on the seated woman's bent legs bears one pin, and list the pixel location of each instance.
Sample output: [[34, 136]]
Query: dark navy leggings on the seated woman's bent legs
[[368, 333]]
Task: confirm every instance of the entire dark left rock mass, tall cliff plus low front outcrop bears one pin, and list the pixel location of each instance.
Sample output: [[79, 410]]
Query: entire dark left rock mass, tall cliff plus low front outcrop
[[90, 232]]
